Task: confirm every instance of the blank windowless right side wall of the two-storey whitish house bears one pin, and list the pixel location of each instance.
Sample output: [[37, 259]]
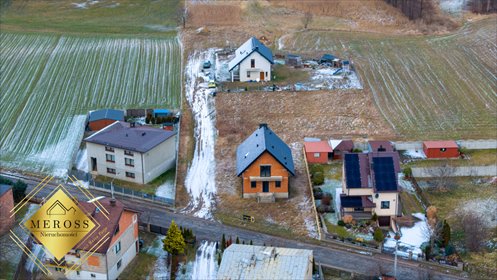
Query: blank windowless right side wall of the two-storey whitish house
[[160, 159]]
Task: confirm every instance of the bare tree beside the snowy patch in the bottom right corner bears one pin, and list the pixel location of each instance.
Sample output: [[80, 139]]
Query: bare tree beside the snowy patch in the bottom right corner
[[475, 231]]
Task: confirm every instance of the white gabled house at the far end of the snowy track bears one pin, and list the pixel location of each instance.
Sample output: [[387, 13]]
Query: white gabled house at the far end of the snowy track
[[252, 62]]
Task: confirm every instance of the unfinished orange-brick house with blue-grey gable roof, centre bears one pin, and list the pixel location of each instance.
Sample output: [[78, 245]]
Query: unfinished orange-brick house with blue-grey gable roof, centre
[[265, 164]]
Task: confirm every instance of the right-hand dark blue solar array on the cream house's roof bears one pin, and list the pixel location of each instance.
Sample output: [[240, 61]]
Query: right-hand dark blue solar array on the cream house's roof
[[384, 174]]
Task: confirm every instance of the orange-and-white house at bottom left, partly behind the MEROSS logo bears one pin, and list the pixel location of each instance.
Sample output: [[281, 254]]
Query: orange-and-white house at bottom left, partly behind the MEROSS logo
[[113, 255]]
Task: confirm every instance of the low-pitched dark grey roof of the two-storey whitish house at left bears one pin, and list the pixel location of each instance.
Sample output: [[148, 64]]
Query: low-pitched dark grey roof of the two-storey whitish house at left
[[140, 138]]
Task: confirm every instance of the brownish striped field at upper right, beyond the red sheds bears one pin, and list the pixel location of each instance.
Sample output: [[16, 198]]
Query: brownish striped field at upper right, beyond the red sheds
[[425, 87]]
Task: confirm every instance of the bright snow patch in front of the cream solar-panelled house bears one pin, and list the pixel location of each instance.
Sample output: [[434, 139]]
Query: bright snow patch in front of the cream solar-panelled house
[[411, 239]]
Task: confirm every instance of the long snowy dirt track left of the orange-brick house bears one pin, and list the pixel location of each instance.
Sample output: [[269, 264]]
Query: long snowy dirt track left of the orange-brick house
[[200, 180]]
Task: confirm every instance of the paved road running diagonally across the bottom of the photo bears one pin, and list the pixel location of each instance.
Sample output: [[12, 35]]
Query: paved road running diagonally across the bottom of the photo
[[331, 255]]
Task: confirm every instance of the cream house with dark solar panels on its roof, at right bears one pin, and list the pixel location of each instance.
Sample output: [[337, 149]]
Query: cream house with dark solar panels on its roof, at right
[[370, 185]]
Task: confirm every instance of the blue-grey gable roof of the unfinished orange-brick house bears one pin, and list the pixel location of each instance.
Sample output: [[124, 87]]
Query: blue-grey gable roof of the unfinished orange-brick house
[[262, 140]]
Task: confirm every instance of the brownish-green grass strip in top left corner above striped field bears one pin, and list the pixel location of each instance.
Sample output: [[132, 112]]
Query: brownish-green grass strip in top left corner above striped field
[[114, 17]]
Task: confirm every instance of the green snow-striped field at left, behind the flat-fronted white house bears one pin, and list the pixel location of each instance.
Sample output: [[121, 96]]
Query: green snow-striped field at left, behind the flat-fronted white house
[[49, 83]]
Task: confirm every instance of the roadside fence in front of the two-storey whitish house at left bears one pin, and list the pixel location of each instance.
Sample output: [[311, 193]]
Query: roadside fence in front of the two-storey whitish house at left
[[125, 192]]
